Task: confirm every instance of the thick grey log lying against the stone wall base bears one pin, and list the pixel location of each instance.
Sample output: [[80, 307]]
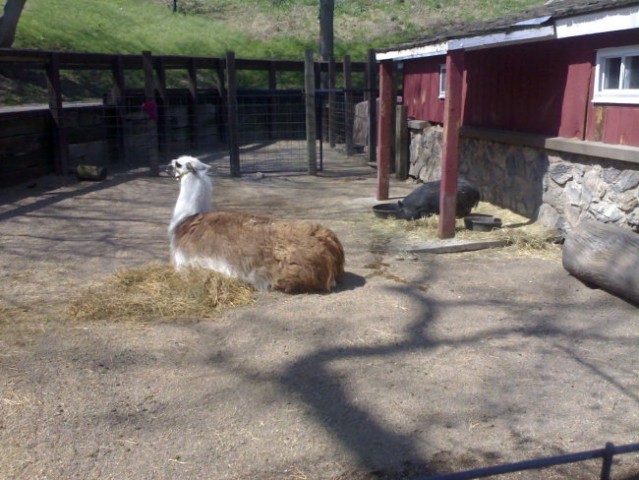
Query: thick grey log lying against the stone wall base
[[605, 256]]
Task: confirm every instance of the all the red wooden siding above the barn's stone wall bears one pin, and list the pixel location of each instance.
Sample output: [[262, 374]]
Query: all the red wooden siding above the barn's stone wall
[[542, 87]]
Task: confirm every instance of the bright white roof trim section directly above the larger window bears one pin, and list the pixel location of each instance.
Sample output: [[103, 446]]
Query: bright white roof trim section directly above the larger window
[[598, 22]]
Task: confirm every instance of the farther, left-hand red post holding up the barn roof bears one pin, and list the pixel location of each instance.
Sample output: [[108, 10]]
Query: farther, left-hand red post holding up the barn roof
[[384, 129]]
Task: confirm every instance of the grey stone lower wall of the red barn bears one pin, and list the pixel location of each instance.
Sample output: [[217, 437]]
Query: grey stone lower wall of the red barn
[[557, 188]]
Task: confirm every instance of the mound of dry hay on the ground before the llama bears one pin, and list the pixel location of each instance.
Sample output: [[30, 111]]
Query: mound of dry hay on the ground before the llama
[[160, 292]]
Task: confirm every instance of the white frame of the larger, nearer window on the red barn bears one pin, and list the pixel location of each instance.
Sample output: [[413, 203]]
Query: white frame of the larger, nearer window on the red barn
[[622, 94]]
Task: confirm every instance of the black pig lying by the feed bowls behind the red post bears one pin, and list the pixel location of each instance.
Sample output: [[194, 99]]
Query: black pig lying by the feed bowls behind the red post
[[424, 200]]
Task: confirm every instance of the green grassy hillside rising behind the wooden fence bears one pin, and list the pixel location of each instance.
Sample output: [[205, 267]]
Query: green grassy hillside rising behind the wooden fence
[[252, 28]]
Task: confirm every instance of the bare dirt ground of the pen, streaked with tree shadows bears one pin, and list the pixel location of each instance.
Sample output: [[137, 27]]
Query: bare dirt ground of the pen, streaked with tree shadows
[[417, 364]]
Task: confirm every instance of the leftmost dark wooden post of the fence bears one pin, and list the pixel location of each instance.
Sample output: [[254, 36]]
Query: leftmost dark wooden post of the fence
[[58, 132]]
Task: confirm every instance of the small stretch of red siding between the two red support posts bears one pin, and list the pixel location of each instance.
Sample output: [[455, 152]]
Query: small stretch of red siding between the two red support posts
[[421, 89]]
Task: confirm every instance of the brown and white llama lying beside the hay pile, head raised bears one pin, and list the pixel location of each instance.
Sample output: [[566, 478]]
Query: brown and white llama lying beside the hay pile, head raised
[[286, 255]]
